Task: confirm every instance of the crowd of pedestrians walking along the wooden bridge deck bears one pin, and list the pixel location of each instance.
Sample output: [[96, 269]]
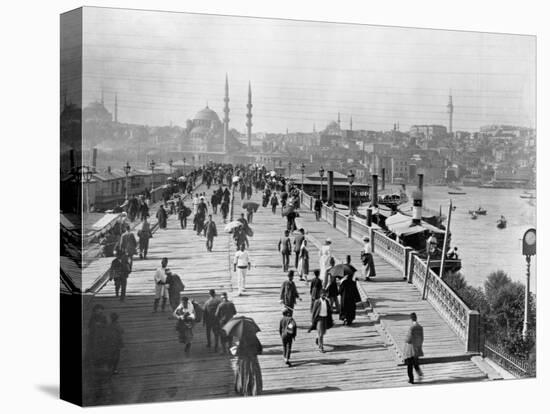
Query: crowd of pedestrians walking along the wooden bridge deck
[[332, 287]]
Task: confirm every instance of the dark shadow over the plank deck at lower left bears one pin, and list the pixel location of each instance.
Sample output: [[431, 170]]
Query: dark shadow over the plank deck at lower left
[[153, 366]]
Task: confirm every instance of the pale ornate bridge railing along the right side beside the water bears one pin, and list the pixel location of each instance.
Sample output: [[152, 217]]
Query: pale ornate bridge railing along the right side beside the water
[[462, 320]]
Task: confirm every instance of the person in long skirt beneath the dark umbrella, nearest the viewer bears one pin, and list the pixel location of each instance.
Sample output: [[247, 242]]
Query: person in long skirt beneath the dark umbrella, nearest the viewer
[[248, 377]]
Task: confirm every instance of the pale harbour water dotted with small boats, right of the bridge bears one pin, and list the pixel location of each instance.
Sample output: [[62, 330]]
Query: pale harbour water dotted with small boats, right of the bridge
[[483, 247]]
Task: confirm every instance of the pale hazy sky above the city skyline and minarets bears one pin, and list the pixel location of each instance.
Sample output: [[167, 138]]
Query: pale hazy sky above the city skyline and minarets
[[165, 67]]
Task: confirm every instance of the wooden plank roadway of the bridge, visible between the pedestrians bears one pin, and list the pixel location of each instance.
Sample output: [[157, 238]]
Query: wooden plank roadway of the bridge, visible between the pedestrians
[[153, 366]]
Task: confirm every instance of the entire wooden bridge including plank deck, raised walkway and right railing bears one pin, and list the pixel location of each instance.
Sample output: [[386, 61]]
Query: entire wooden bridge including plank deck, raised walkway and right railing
[[368, 354]]
